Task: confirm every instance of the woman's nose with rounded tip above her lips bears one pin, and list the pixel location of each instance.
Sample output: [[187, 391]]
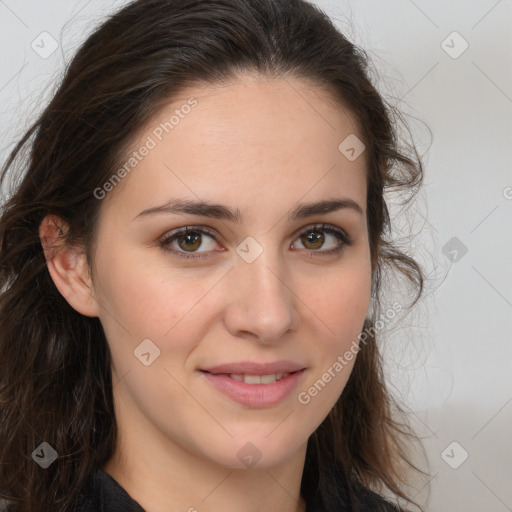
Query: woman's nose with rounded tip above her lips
[[262, 304]]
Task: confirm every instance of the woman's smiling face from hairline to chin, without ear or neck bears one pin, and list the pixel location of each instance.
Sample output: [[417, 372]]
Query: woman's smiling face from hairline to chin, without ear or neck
[[262, 285]]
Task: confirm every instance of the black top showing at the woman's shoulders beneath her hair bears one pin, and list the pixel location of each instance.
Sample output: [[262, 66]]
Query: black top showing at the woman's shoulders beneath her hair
[[102, 493]]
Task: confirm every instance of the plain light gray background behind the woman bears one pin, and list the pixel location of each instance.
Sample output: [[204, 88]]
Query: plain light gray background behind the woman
[[451, 361]]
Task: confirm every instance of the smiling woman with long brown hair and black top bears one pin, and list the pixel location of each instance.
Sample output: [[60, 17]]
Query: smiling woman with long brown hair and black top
[[191, 268]]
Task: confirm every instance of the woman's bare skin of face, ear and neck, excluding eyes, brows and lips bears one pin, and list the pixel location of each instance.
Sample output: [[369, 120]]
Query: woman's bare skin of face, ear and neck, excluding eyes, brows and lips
[[261, 146]]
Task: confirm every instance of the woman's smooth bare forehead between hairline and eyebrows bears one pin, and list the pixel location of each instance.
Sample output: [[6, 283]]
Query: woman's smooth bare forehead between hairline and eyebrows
[[264, 139]]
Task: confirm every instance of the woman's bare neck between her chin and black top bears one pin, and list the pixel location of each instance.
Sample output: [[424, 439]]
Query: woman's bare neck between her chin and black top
[[163, 476]]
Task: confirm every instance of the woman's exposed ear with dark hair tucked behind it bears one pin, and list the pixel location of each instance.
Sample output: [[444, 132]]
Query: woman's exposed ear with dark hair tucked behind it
[[67, 266]]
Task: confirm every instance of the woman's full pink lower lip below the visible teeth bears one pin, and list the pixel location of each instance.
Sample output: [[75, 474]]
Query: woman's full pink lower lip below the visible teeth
[[255, 395]]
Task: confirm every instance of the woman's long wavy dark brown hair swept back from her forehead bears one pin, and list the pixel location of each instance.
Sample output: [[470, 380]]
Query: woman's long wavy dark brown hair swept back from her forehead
[[55, 378]]
